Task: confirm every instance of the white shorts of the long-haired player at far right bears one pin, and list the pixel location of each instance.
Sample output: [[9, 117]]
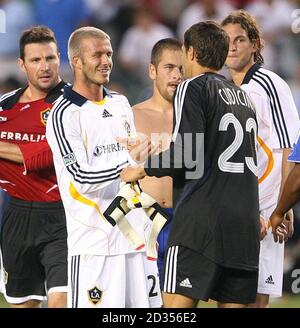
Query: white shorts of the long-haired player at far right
[[271, 256]]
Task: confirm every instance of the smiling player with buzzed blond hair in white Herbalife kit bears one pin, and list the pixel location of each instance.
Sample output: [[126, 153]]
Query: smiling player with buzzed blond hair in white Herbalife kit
[[104, 268]]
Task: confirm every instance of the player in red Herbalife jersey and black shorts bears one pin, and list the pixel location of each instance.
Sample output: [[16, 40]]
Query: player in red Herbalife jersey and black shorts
[[33, 236]]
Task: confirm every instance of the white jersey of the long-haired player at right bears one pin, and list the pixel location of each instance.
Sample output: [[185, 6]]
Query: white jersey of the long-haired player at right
[[278, 124]]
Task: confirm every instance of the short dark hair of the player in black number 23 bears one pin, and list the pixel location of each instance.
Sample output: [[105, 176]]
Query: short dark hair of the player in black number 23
[[210, 43]]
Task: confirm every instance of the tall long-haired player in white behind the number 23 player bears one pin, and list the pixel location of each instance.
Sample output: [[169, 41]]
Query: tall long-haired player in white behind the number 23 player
[[278, 124]]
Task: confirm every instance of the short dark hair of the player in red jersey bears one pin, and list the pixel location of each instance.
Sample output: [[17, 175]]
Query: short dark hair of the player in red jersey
[[36, 34]]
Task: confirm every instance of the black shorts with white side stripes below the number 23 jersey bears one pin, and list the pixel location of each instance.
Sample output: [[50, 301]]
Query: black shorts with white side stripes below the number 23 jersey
[[189, 273]]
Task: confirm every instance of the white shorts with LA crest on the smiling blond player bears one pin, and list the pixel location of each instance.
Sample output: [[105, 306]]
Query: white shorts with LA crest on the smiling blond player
[[119, 281]]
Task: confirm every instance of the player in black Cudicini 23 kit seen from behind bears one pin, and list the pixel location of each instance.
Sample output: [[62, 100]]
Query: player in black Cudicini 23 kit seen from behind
[[213, 245]]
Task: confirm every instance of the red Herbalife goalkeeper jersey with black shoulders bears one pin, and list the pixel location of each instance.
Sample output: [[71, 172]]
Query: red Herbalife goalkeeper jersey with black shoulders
[[25, 124]]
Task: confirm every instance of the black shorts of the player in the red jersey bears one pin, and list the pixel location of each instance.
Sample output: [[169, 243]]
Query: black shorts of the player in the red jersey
[[34, 248]]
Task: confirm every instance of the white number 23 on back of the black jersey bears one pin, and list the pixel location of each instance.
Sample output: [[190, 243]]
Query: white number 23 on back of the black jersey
[[224, 164]]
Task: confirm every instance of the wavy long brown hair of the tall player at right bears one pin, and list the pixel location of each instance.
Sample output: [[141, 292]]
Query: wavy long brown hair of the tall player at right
[[249, 24]]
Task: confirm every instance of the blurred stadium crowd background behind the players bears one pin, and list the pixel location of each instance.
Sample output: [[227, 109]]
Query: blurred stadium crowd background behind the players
[[134, 26]]
